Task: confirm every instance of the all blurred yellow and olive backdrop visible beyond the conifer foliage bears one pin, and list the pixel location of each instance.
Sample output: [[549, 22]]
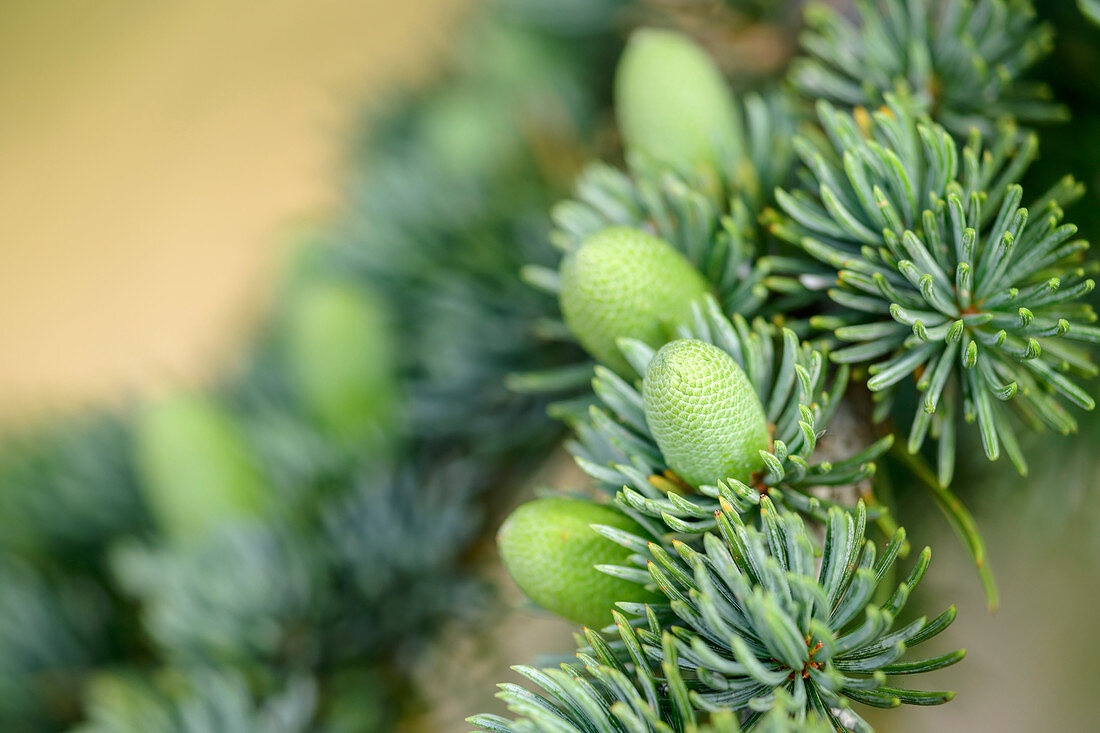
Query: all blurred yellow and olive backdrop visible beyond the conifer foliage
[[157, 158]]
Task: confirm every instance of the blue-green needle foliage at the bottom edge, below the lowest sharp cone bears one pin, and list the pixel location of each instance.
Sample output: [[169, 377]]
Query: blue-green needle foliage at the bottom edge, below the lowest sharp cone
[[752, 627]]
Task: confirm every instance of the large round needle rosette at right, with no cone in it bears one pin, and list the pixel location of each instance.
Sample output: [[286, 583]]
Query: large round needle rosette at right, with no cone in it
[[943, 280]]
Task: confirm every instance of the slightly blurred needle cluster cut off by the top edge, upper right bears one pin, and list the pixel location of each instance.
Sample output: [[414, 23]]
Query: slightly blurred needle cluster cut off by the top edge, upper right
[[961, 60]]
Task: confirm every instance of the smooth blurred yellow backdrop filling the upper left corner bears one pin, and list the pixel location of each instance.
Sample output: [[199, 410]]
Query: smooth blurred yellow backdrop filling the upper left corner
[[151, 155]]
